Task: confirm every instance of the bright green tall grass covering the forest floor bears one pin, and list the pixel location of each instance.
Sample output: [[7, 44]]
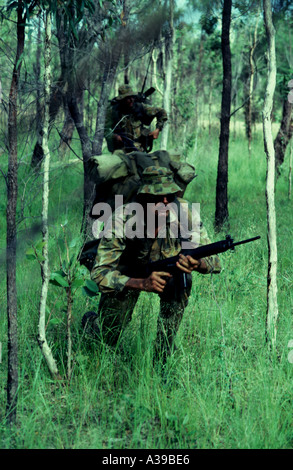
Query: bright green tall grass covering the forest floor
[[221, 389]]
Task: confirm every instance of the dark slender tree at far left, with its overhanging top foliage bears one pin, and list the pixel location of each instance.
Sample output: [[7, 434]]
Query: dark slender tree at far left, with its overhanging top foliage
[[21, 12]]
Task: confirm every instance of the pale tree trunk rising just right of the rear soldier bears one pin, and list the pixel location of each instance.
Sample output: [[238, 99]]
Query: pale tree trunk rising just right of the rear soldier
[[169, 42]]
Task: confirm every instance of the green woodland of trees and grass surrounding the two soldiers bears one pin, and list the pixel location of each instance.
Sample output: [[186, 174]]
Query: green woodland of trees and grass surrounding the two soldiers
[[229, 385]]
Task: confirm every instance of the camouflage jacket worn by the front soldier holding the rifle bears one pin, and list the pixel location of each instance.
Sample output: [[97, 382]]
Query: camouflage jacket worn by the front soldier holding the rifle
[[120, 257]]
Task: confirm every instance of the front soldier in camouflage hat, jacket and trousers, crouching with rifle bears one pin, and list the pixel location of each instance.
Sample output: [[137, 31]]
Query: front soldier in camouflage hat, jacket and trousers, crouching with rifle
[[117, 270]]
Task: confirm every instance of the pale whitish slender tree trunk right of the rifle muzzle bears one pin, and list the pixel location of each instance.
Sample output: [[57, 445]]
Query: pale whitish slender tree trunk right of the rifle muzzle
[[272, 303]]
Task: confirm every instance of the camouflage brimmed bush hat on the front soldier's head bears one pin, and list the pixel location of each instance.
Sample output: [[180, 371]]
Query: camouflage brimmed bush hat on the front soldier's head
[[158, 181]]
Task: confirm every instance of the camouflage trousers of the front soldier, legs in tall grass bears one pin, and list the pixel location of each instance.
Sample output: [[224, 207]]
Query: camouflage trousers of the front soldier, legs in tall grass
[[115, 312]]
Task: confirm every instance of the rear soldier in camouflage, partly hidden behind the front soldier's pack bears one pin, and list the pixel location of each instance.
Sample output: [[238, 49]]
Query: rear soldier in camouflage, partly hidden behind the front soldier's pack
[[125, 121]]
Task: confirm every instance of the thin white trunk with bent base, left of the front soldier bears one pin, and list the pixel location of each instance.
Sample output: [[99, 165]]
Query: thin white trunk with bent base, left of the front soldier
[[45, 348]]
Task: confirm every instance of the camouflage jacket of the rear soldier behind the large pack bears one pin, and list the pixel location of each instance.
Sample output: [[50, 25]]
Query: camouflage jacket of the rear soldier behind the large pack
[[131, 125]]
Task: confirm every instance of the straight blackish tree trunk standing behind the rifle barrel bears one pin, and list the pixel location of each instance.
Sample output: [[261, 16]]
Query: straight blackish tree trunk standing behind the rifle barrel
[[222, 215]]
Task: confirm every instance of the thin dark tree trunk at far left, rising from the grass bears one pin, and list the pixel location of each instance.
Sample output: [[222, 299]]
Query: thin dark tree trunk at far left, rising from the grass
[[12, 189]]
